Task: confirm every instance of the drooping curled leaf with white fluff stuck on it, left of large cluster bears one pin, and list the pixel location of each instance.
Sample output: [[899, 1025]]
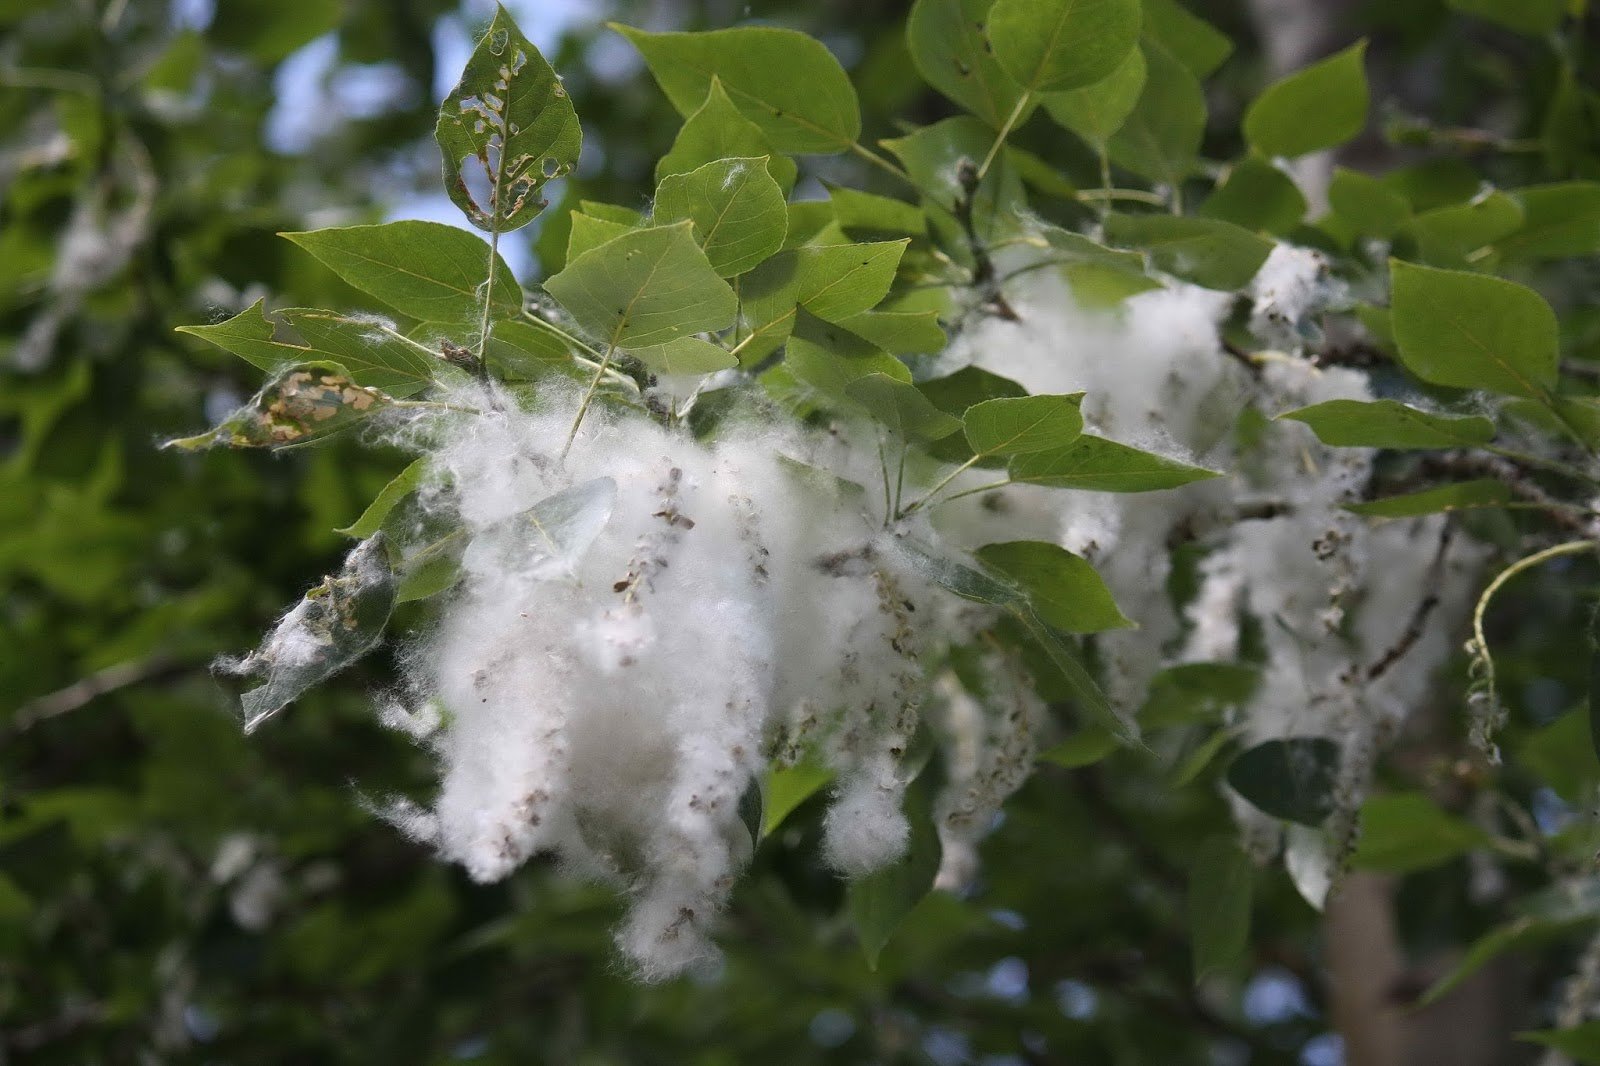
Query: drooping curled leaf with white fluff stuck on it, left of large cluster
[[330, 628]]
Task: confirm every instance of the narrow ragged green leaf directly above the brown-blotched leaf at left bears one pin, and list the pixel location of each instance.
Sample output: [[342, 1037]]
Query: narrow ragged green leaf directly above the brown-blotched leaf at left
[[383, 359]]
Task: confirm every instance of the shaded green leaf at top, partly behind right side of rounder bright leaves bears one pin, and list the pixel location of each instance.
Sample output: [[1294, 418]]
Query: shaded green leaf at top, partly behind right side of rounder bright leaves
[[1161, 138]]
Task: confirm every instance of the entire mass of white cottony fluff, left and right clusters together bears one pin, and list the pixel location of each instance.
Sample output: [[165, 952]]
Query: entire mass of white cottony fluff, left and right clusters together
[[614, 676]]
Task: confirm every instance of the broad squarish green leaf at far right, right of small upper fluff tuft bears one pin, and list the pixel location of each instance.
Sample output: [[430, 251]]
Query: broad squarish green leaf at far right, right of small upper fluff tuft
[[1473, 332]]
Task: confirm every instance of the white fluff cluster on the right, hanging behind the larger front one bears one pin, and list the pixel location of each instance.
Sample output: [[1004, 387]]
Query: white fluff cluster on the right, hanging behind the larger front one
[[1356, 617]]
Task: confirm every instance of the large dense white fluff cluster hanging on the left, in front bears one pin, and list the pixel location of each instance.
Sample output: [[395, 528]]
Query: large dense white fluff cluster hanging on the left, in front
[[641, 630]]
